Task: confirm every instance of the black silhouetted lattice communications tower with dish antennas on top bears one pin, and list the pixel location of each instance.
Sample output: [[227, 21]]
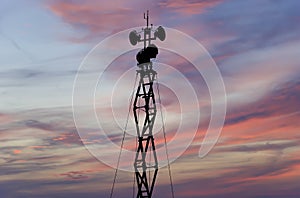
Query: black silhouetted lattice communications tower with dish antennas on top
[[144, 109]]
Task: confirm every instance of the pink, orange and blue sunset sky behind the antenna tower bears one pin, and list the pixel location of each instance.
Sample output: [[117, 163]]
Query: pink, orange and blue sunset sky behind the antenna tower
[[255, 45]]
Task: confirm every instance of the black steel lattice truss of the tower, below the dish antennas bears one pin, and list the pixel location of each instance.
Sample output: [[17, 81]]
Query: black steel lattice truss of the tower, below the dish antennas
[[144, 109]]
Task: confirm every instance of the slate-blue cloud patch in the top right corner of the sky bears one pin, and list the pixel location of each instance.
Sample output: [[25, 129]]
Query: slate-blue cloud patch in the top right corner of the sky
[[250, 32]]
